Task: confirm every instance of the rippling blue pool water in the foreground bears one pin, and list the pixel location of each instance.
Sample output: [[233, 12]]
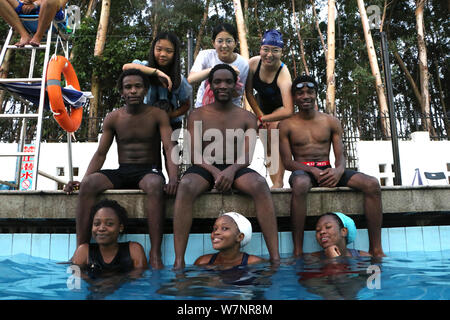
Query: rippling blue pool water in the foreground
[[400, 276]]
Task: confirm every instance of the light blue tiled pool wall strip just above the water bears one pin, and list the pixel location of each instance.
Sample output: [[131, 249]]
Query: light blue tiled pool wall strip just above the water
[[60, 247]]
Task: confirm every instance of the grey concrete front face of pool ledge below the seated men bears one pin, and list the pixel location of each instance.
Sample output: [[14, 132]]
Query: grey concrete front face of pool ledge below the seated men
[[58, 205]]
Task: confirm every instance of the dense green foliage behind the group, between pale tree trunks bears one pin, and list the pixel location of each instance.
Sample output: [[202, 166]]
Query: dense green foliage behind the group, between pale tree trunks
[[133, 22]]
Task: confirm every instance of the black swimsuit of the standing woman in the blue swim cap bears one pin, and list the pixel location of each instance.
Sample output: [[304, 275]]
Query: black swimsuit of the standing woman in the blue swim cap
[[269, 94]]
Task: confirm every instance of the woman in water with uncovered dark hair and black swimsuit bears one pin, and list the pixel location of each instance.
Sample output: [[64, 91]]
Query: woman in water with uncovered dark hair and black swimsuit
[[107, 255]]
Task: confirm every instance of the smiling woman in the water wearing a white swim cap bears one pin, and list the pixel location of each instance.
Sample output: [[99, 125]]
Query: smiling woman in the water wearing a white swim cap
[[231, 231]]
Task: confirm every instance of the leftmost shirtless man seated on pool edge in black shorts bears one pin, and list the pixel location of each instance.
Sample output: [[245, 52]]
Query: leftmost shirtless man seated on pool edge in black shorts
[[138, 129]]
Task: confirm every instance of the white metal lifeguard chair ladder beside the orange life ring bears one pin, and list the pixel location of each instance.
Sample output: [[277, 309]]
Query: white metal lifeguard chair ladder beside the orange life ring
[[60, 41]]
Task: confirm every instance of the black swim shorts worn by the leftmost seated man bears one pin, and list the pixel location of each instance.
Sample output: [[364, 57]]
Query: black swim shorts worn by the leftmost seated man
[[128, 176]]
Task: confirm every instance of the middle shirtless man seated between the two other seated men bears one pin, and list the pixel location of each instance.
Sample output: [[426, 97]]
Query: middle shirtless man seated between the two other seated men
[[219, 169]]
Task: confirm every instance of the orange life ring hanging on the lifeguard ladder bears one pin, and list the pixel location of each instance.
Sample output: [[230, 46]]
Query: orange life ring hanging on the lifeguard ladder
[[56, 66]]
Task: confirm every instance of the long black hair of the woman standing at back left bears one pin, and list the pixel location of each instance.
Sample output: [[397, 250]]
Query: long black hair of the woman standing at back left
[[174, 69]]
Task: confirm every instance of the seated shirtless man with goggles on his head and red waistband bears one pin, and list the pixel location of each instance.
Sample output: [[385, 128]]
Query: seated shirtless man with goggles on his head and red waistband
[[307, 137]]
